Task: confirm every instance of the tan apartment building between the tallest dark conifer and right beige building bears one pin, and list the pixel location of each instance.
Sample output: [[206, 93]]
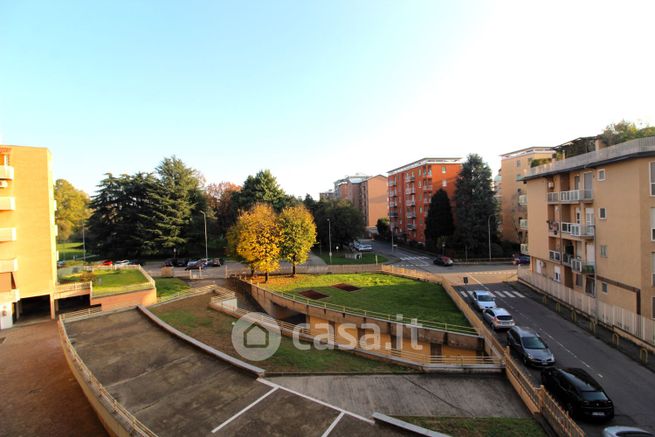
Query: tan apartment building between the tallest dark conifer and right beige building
[[513, 199]]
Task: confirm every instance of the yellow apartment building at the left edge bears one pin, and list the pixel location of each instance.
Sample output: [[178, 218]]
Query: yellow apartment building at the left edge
[[28, 253]]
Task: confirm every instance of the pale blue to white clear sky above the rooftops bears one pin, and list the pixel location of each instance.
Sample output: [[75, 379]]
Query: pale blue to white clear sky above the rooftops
[[314, 90]]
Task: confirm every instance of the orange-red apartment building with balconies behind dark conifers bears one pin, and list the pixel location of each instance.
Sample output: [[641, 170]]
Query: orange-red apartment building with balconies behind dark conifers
[[410, 189]]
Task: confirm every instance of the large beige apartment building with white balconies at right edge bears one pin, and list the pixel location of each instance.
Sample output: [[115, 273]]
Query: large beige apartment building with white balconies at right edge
[[592, 223]]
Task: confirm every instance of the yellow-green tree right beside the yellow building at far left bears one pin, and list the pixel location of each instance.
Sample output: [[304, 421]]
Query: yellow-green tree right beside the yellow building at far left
[[72, 209]]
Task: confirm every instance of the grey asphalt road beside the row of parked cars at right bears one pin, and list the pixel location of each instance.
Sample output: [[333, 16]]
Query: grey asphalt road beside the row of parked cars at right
[[630, 385]]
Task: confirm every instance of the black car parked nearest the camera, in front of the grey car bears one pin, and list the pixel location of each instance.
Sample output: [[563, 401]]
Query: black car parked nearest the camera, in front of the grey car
[[578, 393]]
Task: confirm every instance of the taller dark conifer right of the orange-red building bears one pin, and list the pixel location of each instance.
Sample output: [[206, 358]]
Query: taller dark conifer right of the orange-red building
[[475, 205]]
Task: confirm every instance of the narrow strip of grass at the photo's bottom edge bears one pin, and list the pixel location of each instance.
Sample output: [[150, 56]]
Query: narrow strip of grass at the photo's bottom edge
[[480, 427]]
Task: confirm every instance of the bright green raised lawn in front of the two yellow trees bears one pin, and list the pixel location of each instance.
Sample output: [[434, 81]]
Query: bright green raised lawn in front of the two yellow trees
[[380, 293]]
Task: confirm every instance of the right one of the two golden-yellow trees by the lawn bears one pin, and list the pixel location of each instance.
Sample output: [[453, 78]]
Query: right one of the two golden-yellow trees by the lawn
[[297, 234]]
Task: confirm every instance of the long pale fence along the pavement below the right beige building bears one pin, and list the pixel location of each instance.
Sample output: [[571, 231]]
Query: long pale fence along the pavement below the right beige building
[[611, 315]]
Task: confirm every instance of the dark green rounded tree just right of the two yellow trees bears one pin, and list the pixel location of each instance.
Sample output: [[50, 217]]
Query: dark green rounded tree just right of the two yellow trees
[[346, 222]]
